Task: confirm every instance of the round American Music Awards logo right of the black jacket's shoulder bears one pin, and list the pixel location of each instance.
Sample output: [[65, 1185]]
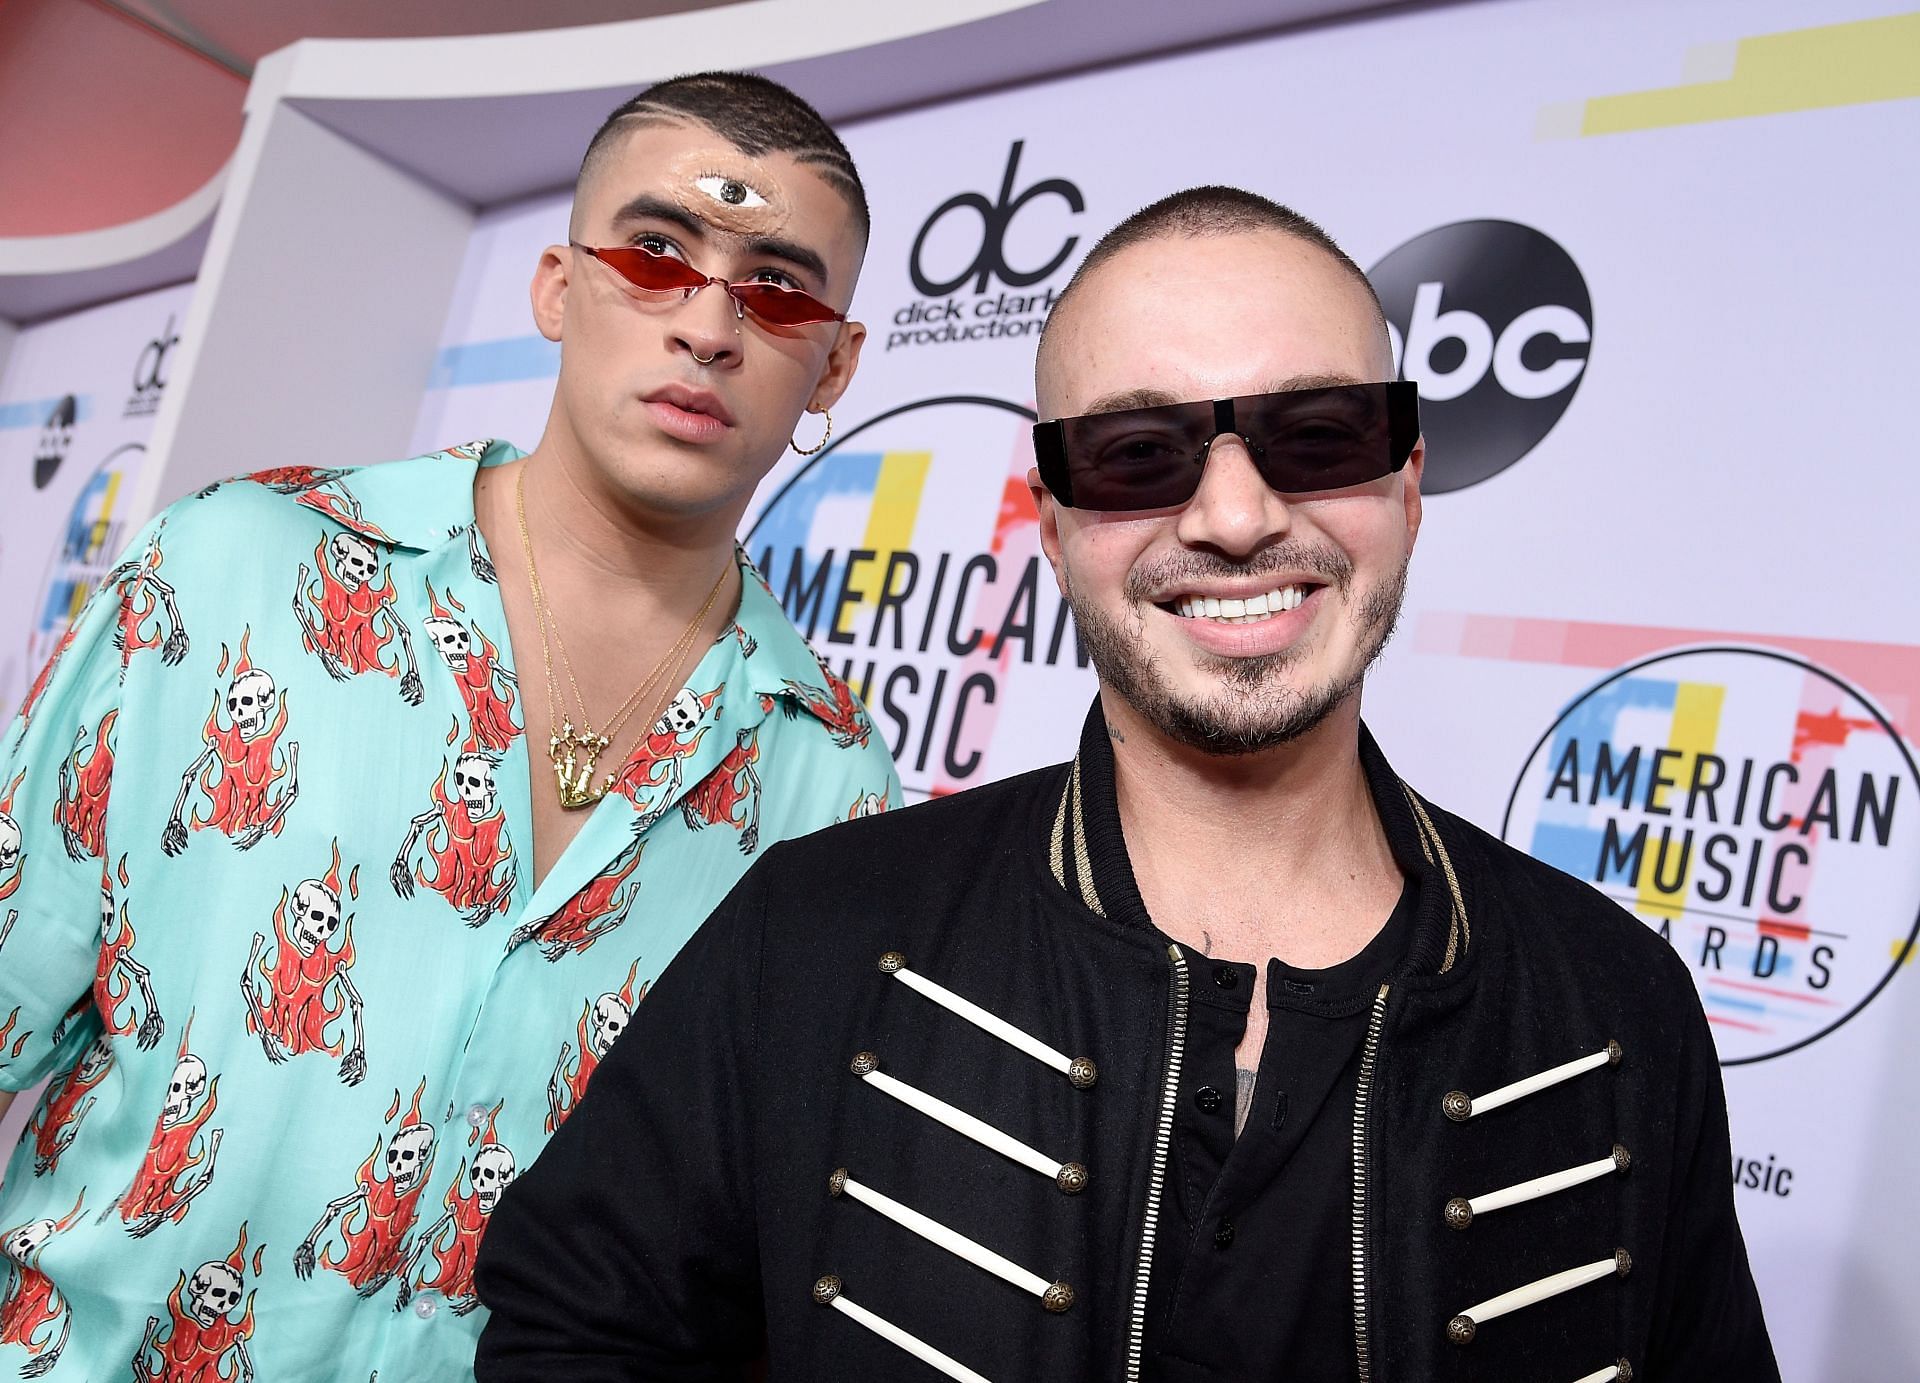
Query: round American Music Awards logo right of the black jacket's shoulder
[[1752, 808]]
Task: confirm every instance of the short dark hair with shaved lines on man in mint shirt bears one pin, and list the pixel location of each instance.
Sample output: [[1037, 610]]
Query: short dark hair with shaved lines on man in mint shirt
[[754, 114]]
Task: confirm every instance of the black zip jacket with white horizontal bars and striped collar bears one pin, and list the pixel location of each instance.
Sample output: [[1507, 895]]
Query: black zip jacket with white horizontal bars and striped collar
[[777, 1161]]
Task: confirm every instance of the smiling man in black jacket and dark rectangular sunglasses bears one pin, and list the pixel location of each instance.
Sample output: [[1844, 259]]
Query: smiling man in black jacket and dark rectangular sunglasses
[[1216, 1054]]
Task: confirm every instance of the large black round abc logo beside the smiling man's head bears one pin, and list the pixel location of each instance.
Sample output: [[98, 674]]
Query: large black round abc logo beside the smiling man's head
[[1493, 322]]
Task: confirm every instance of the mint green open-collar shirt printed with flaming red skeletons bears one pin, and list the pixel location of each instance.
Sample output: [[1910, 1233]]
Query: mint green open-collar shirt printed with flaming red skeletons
[[270, 919]]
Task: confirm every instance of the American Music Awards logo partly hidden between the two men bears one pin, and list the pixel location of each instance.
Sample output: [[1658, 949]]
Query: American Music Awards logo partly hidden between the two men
[[909, 554]]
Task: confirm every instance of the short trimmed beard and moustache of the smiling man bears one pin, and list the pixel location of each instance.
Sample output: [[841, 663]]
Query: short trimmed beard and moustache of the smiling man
[[1257, 710]]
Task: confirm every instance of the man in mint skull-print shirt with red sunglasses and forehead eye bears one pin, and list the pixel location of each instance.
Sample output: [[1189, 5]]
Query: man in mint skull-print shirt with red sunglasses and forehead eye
[[360, 810]]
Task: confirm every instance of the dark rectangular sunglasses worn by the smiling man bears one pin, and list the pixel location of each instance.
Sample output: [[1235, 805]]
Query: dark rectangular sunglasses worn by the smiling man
[[1301, 443]]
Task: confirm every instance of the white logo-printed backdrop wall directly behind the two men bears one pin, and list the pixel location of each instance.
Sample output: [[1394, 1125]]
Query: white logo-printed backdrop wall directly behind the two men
[[1702, 450]]
